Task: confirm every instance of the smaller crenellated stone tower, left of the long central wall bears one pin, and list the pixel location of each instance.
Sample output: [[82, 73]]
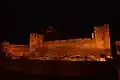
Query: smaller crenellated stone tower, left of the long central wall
[[36, 41]]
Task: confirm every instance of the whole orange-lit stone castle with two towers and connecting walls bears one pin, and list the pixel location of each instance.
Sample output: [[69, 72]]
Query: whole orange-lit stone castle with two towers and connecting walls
[[97, 44]]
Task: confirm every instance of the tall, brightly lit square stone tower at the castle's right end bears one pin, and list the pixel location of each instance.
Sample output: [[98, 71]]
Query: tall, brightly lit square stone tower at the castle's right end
[[102, 37]]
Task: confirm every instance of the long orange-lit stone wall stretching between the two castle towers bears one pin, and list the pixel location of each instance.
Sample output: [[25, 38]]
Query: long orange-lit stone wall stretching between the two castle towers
[[82, 47]]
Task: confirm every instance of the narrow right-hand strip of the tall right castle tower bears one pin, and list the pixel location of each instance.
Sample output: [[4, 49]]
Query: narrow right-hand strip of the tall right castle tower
[[106, 36]]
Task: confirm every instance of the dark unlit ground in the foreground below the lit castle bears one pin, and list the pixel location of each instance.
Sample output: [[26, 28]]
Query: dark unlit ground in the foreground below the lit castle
[[24, 69]]
